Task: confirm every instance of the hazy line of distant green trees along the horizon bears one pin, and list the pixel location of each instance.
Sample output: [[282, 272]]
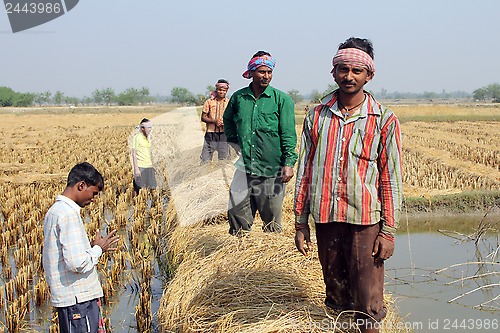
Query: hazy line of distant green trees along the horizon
[[181, 95]]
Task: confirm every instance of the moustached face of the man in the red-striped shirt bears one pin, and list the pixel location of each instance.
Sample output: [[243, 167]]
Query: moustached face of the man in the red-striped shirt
[[351, 79]]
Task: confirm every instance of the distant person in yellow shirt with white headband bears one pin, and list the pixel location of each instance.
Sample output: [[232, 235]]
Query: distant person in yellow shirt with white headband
[[144, 173]]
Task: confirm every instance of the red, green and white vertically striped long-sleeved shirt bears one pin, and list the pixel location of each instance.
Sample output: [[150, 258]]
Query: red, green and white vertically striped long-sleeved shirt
[[350, 169]]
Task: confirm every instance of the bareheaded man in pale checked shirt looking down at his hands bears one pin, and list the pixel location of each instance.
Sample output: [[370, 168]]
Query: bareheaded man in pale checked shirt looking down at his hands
[[69, 259]]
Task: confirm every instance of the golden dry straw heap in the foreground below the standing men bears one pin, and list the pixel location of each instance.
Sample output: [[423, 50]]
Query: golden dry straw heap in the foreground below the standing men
[[255, 283]]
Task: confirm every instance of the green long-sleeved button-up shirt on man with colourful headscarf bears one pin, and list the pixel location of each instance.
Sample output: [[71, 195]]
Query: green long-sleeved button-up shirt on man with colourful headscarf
[[264, 129]]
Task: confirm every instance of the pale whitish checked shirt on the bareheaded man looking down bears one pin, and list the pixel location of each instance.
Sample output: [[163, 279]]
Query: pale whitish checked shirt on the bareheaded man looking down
[[68, 259]]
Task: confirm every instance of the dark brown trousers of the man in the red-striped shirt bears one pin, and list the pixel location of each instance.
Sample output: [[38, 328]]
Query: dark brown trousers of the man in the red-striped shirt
[[353, 279]]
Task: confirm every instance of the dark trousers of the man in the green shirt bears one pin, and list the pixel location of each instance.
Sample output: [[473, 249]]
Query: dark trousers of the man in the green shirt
[[249, 194]]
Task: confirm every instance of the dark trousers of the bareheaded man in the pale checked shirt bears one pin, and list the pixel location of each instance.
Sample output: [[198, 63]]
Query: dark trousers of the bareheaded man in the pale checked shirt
[[80, 318]]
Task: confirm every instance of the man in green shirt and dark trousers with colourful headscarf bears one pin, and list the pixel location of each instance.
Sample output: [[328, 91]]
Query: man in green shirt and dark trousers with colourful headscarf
[[259, 122]]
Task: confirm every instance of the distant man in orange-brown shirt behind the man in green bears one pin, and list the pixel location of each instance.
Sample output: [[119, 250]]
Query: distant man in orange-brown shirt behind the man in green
[[213, 109]]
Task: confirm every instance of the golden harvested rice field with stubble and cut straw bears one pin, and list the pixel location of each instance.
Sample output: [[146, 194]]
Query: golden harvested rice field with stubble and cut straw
[[211, 282]]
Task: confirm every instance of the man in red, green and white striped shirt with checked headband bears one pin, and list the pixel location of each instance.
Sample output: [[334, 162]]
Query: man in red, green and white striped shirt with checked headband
[[349, 180]]
